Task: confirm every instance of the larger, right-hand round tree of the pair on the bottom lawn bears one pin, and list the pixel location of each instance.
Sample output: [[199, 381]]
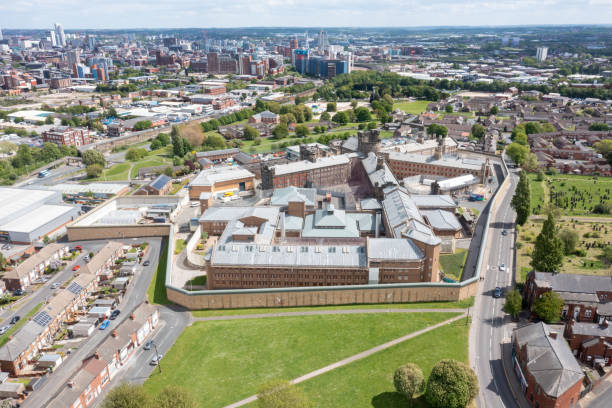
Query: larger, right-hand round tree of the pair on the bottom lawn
[[451, 384]]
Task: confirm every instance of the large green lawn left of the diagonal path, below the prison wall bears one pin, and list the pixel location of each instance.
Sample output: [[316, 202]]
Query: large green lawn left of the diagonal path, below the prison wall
[[221, 362]]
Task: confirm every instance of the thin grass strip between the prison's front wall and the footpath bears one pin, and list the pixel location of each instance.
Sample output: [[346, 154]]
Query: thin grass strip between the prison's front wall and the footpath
[[416, 305]]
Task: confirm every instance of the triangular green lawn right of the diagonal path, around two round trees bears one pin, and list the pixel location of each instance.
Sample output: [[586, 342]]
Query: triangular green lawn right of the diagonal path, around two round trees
[[369, 382]]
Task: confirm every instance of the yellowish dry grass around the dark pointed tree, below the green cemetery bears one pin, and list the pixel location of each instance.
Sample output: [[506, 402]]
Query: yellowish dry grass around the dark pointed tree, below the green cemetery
[[592, 233]]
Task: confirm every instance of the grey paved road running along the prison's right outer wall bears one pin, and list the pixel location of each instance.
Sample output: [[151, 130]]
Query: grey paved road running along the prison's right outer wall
[[488, 327]]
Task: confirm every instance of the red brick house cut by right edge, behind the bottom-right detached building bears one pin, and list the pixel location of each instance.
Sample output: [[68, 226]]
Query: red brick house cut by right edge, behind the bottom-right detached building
[[591, 343]]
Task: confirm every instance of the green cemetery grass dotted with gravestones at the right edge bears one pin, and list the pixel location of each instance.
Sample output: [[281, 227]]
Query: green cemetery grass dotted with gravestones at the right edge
[[575, 195]]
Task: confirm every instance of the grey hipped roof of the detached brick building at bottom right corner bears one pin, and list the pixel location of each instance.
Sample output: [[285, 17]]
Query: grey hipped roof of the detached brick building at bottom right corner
[[549, 360]]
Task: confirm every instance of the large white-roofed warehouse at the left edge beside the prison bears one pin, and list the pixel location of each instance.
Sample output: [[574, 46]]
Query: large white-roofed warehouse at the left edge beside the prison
[[28, 215]]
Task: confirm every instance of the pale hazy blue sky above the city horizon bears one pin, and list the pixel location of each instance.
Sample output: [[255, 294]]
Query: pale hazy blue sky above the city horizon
[[111, 14]]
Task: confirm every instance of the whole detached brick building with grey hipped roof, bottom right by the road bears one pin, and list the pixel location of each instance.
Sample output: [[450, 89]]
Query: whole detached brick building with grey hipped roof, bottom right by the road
[[545, 366]]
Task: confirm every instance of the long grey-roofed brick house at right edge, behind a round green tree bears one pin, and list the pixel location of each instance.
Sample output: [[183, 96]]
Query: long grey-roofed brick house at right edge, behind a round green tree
[[586, 297]]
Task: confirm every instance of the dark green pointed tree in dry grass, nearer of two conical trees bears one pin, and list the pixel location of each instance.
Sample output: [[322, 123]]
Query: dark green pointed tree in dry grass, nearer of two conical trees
[[548, 248]]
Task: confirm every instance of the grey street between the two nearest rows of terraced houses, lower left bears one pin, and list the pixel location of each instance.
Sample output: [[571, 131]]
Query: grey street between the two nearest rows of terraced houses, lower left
[[134, 296]]
